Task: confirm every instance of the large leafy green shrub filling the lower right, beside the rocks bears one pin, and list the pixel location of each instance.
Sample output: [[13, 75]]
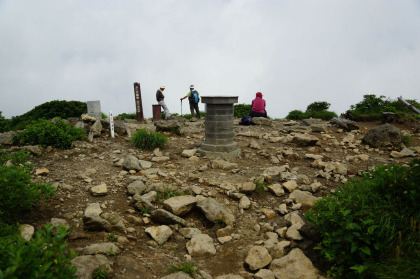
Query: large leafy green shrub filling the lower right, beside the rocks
[[369, 220]]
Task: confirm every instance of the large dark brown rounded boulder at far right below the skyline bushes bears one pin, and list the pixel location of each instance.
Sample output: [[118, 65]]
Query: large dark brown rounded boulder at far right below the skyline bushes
[[385, 135]]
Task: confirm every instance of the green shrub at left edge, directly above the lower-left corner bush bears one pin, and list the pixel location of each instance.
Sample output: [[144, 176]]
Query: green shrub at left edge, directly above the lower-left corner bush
[[17, 192]]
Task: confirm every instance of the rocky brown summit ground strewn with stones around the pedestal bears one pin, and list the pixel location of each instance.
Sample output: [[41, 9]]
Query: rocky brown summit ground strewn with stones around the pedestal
[[122, 221]]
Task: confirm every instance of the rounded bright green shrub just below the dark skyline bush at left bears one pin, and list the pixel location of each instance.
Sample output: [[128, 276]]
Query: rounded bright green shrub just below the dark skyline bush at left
[[45, 132]]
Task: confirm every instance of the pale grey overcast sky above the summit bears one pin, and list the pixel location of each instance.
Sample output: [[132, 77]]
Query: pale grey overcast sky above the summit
[[295, 52]]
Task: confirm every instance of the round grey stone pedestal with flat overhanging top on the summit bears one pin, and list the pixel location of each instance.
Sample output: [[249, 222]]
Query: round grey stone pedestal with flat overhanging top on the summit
[[218, 126]]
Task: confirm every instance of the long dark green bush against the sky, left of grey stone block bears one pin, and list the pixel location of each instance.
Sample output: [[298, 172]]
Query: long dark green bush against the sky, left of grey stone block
[[49, 110]]
